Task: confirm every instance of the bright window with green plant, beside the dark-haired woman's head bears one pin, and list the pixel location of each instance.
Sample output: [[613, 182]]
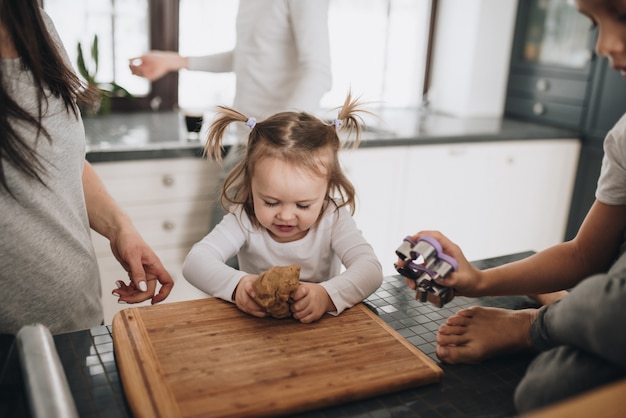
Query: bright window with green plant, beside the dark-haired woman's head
[[125, 28]]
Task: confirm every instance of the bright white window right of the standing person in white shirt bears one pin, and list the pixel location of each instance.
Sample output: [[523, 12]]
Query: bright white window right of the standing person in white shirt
[[378, 49]]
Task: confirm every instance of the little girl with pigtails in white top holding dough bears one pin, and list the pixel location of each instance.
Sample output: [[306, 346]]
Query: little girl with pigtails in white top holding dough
[[287, 203]]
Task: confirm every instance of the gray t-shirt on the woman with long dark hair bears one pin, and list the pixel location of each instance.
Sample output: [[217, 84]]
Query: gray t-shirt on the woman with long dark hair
[[48, 268]]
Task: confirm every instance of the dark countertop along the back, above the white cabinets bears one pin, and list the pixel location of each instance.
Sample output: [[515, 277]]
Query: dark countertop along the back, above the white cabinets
[[154, 135]]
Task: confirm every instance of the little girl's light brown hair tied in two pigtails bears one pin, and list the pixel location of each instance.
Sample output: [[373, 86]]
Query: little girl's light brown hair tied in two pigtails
[[297, 138]]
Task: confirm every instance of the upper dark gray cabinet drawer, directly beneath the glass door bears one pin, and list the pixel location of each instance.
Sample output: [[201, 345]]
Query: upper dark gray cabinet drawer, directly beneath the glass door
[[548, 88]]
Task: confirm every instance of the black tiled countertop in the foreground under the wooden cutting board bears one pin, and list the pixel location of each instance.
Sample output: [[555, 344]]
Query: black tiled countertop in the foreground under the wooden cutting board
[[475, 390]]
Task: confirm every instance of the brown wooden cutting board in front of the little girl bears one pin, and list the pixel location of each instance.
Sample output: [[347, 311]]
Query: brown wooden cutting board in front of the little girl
[[206, 358]]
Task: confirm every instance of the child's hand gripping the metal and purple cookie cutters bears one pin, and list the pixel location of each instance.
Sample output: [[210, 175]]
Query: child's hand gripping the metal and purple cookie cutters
[[467, 280]]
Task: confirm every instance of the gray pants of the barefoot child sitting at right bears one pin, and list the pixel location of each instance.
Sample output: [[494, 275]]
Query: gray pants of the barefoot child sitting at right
[[582, 340]]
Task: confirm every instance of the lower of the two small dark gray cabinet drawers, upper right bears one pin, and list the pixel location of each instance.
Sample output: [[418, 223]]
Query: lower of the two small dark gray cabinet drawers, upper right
[[559, 114]]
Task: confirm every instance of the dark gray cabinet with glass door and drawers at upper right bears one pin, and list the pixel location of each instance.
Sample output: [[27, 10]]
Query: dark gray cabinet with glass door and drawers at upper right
[[556, 79]]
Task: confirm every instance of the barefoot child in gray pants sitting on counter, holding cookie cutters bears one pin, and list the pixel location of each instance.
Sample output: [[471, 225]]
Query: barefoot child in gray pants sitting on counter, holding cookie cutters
[[580, 336]]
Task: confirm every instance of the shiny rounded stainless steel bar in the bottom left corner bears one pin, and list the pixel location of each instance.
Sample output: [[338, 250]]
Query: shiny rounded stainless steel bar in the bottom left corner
[[48, 392]]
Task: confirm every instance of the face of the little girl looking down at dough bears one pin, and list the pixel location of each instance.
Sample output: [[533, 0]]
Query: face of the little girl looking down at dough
[[287, 200]]
